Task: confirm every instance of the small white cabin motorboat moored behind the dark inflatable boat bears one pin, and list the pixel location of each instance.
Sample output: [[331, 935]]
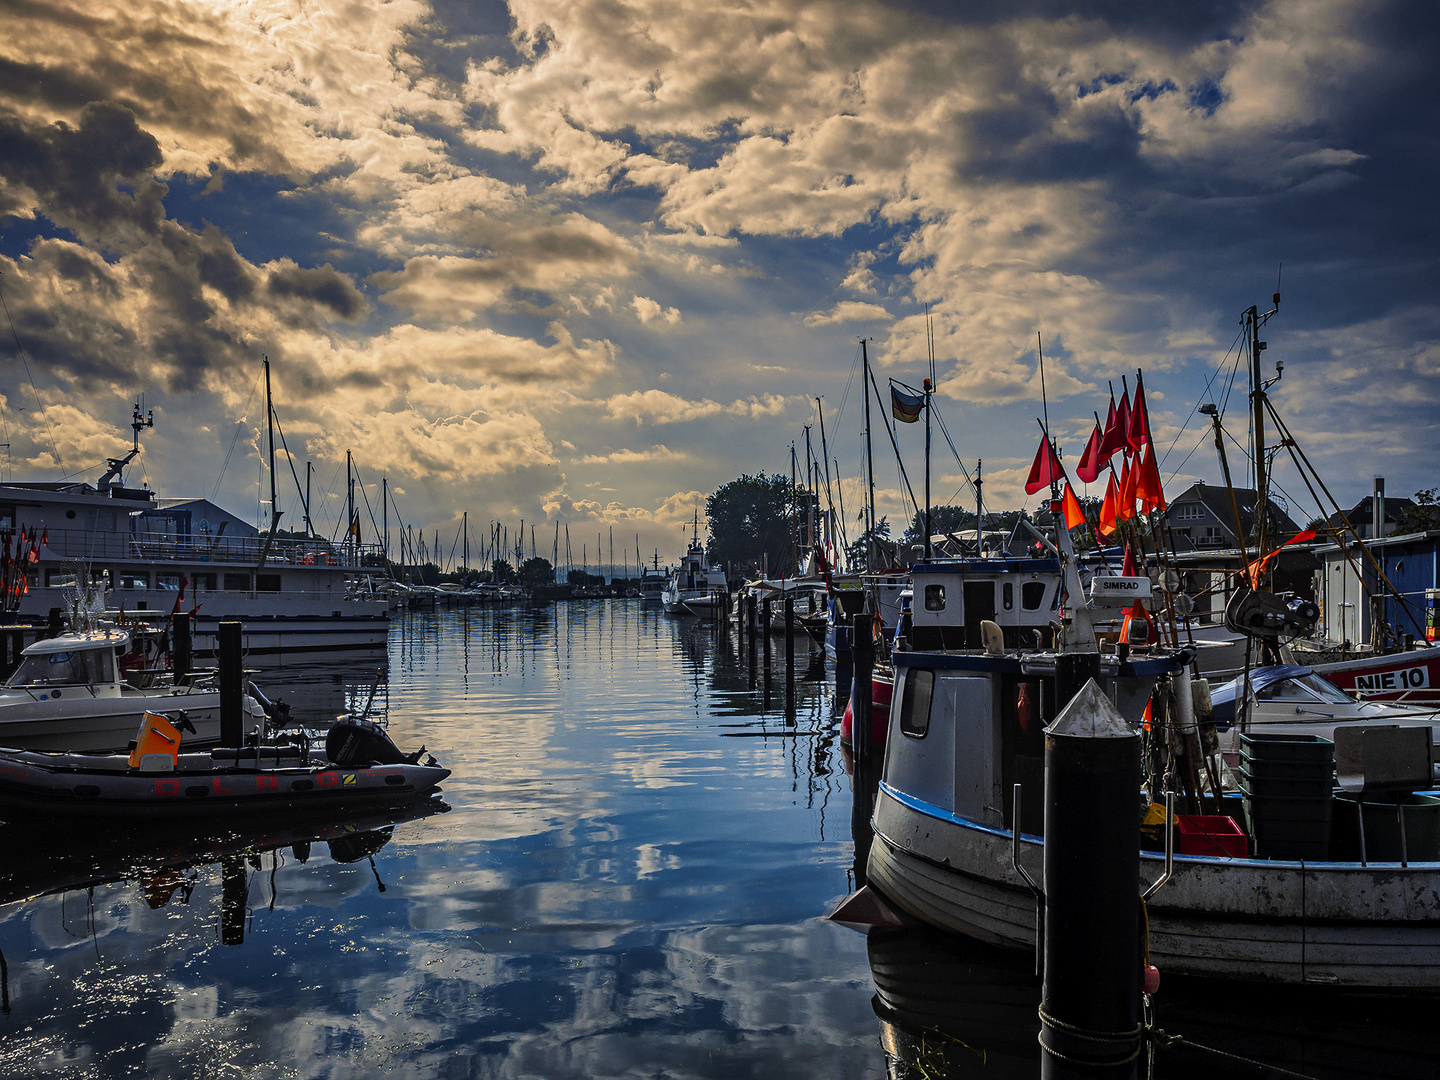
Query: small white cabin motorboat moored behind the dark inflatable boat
[[70, 695]]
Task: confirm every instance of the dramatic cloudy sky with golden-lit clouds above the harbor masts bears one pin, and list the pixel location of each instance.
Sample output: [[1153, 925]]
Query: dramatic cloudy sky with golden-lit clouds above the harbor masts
[[585, 263]]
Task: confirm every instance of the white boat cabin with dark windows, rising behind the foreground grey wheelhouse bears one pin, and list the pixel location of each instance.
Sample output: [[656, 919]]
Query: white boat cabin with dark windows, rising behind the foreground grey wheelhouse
[[954, 597]]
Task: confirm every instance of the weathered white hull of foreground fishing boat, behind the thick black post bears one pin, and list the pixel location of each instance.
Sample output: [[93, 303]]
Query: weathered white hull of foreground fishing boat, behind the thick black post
[[1266, 921]]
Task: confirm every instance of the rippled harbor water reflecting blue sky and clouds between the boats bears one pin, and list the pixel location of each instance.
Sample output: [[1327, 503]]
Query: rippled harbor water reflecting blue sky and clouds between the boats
[[626, 876]]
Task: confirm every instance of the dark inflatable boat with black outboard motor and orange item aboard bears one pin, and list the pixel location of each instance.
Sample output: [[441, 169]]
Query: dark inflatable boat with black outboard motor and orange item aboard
[[361, 767]]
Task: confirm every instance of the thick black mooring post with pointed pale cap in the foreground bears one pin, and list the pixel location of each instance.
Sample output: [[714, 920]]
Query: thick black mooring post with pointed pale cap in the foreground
[[1091, 1003]]
